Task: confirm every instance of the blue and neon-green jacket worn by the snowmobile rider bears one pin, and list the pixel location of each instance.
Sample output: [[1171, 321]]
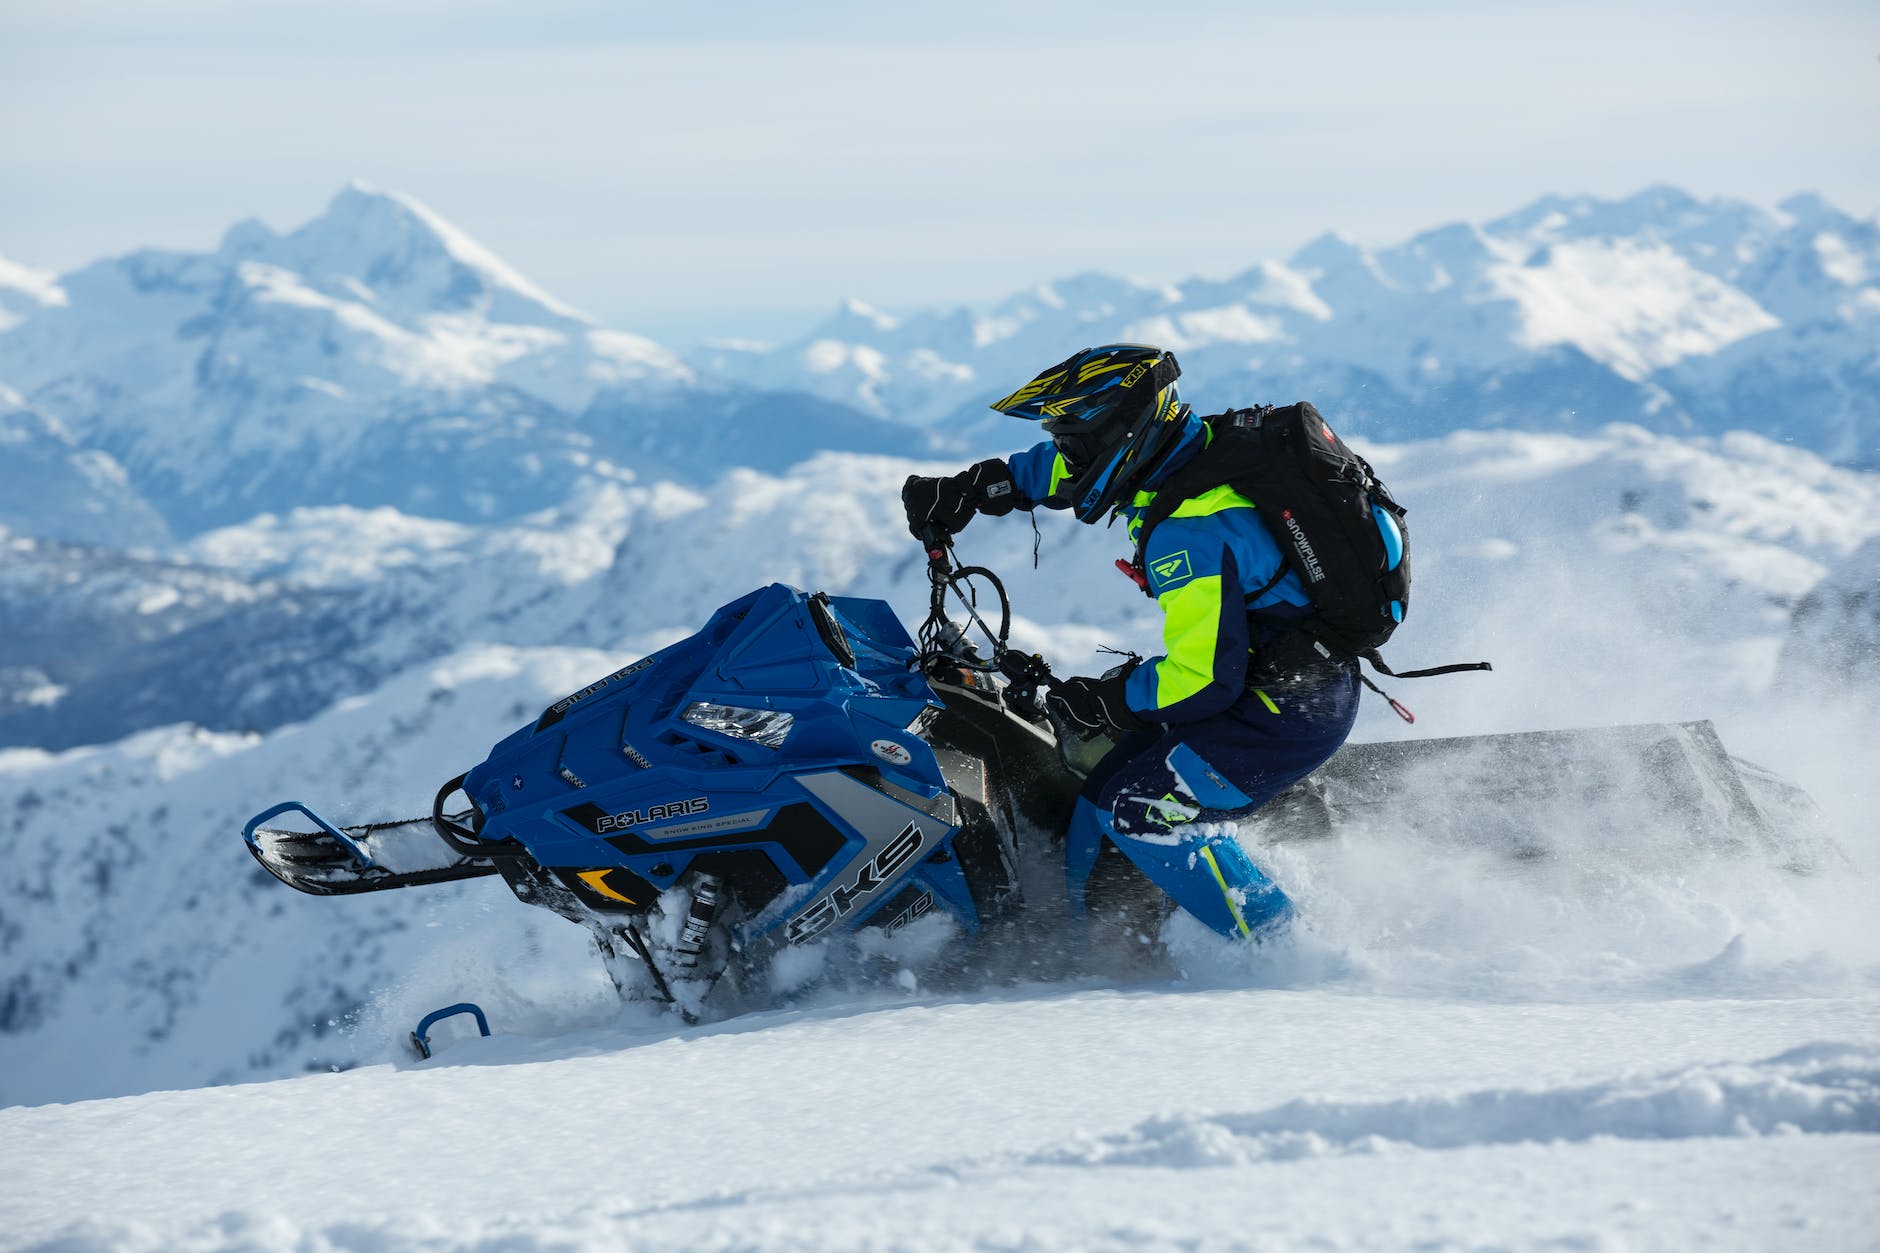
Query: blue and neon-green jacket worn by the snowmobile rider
[[1202, 567]]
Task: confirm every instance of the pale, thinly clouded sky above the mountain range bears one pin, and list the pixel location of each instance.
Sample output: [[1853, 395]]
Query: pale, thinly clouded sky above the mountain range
[[744, 167]]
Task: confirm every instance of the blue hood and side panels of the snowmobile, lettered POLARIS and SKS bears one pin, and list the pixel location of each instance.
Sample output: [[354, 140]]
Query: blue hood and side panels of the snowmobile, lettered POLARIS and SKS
[[779, 748]]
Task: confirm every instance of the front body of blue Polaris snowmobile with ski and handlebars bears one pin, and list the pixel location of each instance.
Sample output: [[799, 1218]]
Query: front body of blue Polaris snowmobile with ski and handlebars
[[796, 770]]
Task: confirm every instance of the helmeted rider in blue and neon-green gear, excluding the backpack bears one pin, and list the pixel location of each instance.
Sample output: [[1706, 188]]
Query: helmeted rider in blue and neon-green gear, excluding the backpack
[[1217, 725]]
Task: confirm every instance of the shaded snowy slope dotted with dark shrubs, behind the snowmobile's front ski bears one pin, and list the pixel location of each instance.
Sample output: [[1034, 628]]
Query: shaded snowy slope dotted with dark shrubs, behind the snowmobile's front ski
[[127, 925]]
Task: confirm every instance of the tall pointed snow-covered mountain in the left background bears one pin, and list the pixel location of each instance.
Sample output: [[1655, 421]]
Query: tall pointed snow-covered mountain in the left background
[[375, 357]]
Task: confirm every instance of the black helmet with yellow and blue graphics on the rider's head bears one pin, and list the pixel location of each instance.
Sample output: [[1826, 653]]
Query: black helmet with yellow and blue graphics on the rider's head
[[1112, 413]]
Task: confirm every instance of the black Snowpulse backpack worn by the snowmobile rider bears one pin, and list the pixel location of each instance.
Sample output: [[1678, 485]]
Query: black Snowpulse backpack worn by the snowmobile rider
[[1334, 520]]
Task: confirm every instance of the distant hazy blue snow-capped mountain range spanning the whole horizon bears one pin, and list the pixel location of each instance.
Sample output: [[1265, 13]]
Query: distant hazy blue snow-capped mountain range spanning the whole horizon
[[379, 357]]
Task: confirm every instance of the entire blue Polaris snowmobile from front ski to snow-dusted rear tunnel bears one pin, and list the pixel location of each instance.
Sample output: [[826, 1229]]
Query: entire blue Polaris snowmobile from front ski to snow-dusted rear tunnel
[[804, 770]]
